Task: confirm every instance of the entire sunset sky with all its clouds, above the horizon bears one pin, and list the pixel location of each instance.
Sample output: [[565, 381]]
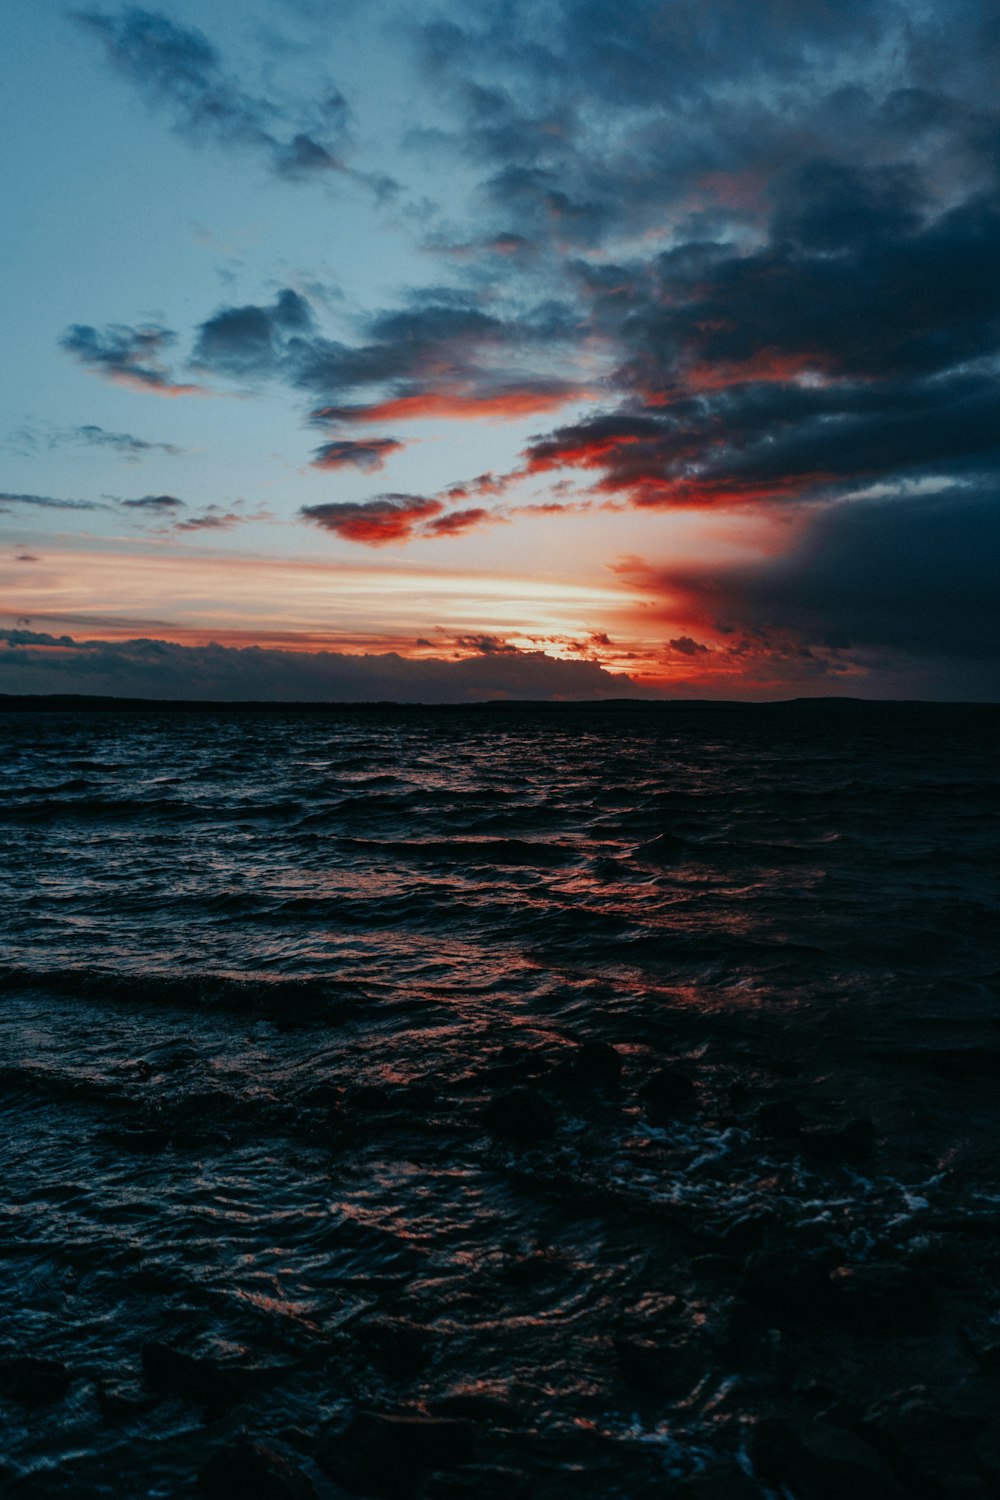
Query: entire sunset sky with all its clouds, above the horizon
[[445, 352]]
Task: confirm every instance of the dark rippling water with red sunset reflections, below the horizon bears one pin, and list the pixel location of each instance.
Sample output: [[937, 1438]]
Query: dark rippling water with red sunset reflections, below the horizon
[[263, 976]]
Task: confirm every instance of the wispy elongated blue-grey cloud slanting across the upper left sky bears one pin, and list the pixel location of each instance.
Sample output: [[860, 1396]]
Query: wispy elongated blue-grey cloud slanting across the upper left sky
[[178, 68]]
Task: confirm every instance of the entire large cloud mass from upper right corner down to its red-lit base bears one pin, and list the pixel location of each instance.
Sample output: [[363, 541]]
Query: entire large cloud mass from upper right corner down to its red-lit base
[[807, 200]]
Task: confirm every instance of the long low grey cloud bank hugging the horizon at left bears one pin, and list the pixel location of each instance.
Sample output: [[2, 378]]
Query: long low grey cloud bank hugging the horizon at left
[[35, 662]]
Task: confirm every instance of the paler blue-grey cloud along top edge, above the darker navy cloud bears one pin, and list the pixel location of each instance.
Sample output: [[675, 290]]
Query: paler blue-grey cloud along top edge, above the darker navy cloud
[[591, 121]]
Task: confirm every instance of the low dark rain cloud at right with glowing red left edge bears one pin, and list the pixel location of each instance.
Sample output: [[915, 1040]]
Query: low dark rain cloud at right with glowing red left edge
[[869, 592]]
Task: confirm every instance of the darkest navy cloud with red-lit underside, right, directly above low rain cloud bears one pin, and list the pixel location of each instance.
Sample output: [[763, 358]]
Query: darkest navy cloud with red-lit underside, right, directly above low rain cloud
[[849, 349]]
